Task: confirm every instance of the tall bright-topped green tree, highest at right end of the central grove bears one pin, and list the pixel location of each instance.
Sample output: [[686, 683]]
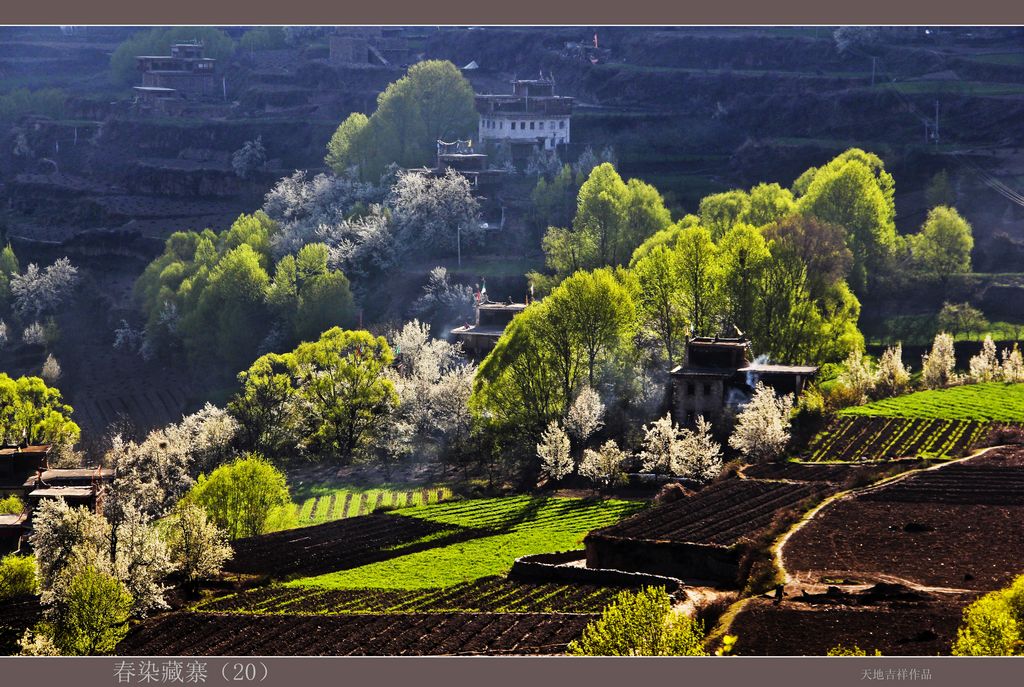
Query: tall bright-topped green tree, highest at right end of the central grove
[[857, 193]]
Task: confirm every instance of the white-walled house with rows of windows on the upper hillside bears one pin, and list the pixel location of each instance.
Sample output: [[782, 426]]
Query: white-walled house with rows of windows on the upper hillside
[[531, 118]]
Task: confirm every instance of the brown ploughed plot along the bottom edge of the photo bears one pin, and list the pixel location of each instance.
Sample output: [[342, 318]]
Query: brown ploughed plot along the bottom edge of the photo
[[402, 635]]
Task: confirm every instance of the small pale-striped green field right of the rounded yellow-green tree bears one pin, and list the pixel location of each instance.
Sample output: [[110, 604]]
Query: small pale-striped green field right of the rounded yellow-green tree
[[321, 504]]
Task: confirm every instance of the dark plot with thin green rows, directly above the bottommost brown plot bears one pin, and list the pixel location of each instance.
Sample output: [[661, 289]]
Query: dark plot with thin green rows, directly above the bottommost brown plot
[[486, 595]]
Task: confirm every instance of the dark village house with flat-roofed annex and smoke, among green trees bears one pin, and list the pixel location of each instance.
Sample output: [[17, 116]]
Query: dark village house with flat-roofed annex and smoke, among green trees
[[717, 375]]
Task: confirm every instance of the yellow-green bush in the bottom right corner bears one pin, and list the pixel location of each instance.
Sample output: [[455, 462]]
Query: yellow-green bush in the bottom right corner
[[994, 626]]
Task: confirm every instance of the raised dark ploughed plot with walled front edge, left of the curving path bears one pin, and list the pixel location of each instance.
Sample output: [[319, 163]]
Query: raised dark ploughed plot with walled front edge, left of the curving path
[[722, 514]]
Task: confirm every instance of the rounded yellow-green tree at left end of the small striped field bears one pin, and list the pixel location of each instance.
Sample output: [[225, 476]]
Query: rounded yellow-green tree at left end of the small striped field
[[241, 496]]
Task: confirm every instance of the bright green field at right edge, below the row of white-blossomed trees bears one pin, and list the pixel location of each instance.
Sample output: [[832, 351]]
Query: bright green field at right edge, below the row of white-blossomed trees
[[995, 402]]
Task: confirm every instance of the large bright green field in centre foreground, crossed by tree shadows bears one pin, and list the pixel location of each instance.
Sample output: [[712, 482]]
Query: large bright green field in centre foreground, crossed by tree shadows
[[510, 528]]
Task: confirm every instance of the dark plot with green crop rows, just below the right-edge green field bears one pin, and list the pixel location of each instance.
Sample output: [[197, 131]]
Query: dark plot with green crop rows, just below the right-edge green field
[[867, 438]]
